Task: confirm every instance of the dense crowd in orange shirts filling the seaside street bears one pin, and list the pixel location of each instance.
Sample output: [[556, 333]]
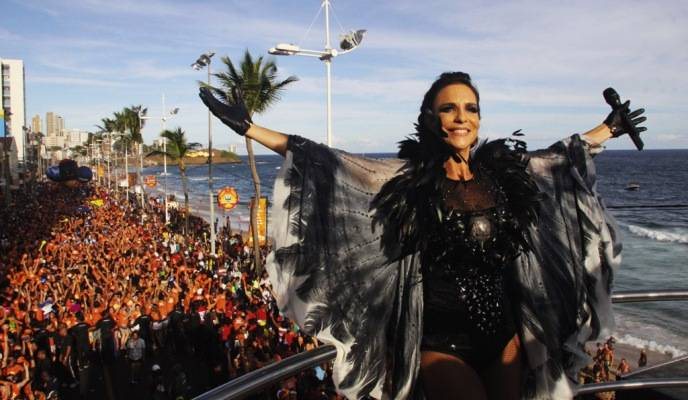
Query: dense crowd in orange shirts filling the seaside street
[[98, 304]]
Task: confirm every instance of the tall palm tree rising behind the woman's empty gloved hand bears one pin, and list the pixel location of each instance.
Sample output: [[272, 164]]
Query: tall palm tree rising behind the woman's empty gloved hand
[[257, 79]]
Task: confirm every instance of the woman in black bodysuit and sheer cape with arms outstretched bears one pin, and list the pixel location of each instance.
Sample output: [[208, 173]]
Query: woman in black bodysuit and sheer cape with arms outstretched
[[480, 269]]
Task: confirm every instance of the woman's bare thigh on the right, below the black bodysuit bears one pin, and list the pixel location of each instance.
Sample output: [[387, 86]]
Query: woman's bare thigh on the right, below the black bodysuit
[[503, 378]]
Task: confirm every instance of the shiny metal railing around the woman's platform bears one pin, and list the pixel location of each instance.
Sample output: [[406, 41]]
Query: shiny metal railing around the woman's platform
[[267, 376]]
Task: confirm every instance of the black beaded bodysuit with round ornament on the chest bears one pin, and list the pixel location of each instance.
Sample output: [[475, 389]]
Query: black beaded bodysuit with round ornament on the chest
[[466, 268]]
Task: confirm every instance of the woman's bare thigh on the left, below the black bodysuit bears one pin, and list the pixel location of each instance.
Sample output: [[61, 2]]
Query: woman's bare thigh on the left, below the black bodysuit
[[448, 377]]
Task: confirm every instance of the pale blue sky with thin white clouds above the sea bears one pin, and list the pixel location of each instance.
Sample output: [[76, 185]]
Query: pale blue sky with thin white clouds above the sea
[[540, 66]]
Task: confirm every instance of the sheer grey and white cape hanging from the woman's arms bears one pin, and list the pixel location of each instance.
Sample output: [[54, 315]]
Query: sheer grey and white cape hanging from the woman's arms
[[330, 273]]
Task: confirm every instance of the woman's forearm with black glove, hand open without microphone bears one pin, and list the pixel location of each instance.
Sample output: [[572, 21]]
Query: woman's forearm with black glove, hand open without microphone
[[236, 117]]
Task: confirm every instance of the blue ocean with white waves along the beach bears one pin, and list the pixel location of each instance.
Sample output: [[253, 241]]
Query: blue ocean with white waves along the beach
[[655, 240]]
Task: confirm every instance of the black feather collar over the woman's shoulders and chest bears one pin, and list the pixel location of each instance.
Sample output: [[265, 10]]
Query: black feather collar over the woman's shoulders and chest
[[409, 206]]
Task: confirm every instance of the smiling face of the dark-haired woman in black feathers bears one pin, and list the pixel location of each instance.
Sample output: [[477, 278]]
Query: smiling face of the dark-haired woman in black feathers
[[457, 108]]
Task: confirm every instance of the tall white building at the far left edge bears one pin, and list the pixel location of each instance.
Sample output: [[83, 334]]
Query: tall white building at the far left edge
[[13, 115]]
